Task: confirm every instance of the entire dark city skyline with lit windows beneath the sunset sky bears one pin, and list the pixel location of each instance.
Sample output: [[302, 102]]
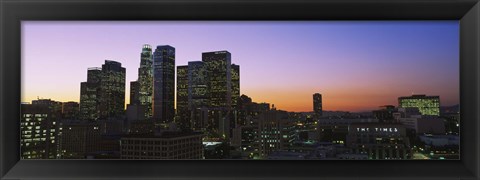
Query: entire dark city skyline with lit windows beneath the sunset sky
[[212, 121]]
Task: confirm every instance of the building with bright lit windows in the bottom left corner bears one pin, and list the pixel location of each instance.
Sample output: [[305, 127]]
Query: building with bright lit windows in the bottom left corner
[[39, 132]]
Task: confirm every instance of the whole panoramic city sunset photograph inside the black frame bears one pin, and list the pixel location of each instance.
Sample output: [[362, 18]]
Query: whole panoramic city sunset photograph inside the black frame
[[240, 90]]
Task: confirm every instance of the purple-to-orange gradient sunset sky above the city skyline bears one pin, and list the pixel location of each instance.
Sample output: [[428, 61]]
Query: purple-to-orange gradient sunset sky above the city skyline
[[355, 65]]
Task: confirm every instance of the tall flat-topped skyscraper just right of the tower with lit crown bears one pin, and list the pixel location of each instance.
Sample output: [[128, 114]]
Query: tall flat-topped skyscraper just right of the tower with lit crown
[[163, 84]]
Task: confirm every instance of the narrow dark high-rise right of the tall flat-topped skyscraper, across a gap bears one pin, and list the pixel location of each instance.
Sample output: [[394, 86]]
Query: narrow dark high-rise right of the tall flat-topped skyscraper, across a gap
[[183, 113]]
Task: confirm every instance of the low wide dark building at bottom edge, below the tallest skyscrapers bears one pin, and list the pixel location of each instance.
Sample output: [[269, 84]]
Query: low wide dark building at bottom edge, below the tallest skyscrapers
[[168, 145]]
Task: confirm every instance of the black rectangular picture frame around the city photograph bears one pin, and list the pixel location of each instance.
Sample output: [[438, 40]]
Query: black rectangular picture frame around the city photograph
[[12, 12]]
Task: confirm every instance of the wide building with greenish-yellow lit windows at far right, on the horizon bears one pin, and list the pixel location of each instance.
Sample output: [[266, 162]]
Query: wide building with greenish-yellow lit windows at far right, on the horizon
[[427, 105]]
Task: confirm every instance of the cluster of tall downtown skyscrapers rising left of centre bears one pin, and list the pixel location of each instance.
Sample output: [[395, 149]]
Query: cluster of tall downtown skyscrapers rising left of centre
[[207, 91]]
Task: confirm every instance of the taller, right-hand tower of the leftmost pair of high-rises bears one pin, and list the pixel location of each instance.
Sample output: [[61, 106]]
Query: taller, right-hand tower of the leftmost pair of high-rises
[[112, 90]]
